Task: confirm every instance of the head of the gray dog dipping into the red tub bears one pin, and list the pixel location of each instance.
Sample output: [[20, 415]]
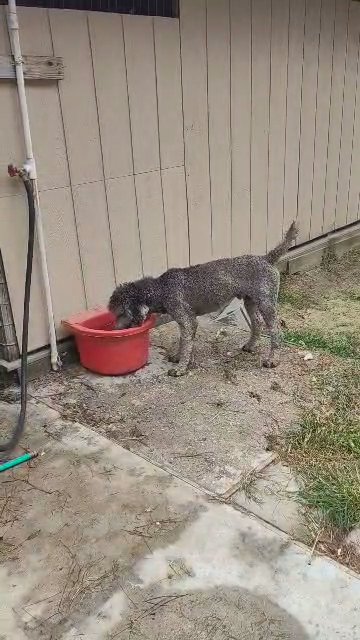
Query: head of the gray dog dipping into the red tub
[[128, 305]]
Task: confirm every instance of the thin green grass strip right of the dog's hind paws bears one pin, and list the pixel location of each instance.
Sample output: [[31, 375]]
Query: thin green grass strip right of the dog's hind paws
[[345, 345]]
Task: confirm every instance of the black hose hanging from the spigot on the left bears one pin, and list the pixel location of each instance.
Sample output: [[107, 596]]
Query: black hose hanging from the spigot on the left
[[20, 425]]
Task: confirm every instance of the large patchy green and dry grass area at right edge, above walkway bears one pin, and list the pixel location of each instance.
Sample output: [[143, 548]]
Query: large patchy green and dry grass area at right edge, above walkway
[[325, 449]]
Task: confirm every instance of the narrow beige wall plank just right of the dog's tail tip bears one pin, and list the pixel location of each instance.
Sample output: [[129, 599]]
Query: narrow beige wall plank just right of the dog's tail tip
[[308, 114]]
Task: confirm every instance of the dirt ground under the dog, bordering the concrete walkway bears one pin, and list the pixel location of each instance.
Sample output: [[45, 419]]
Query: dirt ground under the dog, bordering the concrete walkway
[[210, 428]]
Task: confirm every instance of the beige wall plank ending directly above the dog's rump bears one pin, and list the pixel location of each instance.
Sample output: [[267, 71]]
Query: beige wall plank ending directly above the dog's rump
[[261, 31]]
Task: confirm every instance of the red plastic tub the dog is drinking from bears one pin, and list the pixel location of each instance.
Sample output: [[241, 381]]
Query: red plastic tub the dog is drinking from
[[105, 350]]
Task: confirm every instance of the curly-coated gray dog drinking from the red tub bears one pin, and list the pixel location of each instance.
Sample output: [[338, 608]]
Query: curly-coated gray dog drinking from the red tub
[[203, 288]]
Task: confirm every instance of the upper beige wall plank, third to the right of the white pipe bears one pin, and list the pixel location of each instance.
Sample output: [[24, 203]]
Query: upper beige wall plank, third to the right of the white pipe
[[107, 45]]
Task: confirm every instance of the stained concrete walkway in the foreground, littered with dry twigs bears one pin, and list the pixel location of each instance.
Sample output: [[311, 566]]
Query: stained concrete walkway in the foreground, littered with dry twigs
[[97, 543]]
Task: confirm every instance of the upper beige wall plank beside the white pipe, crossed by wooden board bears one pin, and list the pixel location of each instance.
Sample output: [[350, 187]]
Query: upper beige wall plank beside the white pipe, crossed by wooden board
[[43, 102]]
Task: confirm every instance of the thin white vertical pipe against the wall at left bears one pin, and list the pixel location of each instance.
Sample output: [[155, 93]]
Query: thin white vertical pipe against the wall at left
[[30, 166]]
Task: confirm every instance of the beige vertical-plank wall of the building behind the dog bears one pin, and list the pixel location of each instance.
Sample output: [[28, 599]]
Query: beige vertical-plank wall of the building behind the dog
[[172, 142]]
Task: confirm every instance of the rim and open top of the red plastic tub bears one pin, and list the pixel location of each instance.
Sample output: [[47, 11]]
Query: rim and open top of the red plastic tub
[[75, 326]]
